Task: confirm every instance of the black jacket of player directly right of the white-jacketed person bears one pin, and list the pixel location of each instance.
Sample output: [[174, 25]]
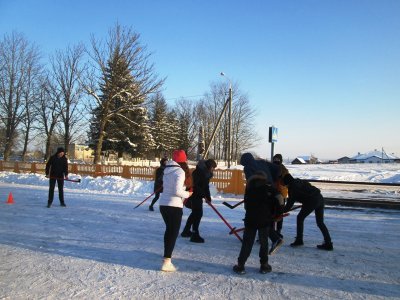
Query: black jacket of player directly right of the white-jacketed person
[[201, 182]]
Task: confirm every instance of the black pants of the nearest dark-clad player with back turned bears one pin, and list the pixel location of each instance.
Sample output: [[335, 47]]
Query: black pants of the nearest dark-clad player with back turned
[[249, 236]]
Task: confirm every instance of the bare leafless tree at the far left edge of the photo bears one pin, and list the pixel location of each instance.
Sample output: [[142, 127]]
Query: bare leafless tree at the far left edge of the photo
[[17, 58]]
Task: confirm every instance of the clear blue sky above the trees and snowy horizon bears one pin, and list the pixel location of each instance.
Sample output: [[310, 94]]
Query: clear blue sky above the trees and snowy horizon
[[326, 73]]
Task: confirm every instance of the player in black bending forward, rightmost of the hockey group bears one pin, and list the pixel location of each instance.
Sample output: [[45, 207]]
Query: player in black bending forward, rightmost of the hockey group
[[312, 200]]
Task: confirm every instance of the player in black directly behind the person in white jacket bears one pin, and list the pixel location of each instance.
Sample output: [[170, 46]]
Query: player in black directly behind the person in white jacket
[[201, 189]]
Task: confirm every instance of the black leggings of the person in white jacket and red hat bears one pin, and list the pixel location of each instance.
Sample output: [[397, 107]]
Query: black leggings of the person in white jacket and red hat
[[172, 218]]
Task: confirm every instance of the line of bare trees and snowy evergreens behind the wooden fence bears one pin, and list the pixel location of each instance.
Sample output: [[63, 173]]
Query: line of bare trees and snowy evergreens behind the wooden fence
[[109, 97]]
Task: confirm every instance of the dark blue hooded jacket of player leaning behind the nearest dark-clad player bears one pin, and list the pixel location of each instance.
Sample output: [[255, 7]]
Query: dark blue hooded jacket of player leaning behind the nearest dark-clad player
[[252, 165]]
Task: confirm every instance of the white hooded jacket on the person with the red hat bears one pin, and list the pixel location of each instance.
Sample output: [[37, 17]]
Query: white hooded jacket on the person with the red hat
[[174, 190]]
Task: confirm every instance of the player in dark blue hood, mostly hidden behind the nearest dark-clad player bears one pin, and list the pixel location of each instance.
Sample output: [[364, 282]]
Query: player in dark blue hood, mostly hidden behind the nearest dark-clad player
[[272, 172]]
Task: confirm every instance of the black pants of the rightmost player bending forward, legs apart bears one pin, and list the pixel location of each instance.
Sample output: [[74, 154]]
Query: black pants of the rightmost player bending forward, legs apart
[[319, 218]]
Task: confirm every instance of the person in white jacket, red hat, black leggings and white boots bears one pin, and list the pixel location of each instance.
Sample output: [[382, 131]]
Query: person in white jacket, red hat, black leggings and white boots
[[171, 204]]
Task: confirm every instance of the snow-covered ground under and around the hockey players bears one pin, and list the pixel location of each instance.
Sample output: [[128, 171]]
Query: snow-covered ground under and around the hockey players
[[100, 247]]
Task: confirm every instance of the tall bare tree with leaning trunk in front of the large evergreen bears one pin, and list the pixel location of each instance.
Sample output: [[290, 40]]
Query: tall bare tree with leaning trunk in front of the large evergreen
[[122, 44]]
